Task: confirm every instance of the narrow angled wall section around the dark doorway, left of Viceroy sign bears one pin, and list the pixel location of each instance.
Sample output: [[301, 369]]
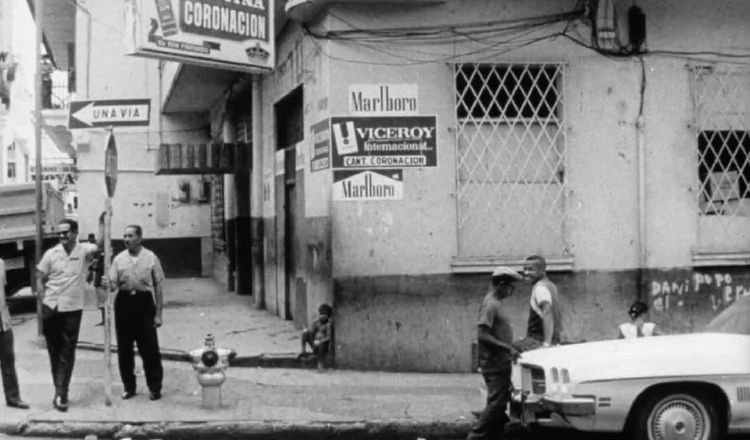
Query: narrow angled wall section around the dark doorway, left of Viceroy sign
[[300, 63]]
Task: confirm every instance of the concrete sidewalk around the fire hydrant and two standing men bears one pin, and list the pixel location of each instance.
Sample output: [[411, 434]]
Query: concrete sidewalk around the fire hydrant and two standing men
[[257, 402]]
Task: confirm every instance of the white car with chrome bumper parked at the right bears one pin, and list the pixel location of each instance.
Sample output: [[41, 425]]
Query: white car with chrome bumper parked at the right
[[678, 387]]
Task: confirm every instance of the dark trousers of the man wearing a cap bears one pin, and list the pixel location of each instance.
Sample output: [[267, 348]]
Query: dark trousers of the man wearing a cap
[[493, 419]]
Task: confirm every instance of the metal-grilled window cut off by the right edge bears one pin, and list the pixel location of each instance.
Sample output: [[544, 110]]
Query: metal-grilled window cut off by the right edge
[[721, 105]]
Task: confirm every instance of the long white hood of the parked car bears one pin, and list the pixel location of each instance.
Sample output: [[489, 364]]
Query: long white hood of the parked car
[[659, 356]]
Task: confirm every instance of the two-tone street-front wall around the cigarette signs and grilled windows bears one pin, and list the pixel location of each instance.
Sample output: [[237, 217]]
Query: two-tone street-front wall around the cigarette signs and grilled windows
[[399, 307]]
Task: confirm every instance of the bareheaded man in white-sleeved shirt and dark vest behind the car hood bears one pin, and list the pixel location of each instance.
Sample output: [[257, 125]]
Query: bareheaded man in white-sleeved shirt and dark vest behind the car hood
[[545, 319]]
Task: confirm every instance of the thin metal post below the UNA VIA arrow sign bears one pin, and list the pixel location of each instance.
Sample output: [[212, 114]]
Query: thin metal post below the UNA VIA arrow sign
[[110, 180]]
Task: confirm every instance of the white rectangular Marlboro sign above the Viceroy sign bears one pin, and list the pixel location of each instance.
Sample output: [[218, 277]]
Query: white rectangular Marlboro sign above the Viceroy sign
[[383, 99]]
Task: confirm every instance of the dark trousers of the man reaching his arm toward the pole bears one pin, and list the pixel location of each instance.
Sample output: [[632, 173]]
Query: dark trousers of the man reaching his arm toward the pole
[[61, 335]]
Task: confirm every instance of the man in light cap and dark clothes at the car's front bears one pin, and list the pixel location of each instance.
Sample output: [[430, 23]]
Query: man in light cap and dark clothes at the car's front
[[496, 354]]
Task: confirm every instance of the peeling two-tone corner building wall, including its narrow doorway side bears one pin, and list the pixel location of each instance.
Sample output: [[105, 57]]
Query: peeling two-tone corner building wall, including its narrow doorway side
[[388, 266]]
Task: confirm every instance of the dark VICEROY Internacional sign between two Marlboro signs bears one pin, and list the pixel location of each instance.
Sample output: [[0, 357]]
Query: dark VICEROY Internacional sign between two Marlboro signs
[[384, 142]]
